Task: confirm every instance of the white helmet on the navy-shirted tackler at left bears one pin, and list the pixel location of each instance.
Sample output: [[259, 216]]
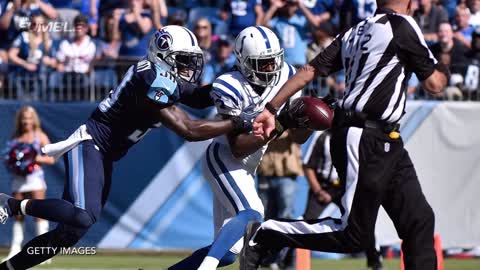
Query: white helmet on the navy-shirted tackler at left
[[177, 47]]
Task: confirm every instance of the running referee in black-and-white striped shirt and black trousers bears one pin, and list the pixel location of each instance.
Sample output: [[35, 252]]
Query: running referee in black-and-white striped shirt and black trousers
[[379, 55]]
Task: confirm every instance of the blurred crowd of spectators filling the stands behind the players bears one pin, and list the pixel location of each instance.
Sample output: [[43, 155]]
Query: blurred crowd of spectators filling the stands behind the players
[[64, 50]]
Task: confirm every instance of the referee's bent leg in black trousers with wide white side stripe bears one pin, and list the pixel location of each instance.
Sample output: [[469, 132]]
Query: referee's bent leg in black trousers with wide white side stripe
[[364, 165]]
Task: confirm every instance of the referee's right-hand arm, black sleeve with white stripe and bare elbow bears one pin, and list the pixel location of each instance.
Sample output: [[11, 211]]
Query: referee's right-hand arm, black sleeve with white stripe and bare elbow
[[413, 51]]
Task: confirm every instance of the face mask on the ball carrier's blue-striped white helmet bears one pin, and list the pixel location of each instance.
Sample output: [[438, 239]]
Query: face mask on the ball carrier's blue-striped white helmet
[[264, 70]]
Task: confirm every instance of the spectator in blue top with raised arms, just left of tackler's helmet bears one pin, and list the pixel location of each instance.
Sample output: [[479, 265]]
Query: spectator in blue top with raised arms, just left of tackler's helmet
[[134, 26]]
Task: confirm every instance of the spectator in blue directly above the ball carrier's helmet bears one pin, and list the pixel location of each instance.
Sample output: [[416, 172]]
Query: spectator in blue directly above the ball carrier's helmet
[[242, 13]]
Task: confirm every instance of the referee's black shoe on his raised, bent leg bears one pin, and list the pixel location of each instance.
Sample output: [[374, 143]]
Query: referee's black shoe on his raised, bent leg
[[252, 253]]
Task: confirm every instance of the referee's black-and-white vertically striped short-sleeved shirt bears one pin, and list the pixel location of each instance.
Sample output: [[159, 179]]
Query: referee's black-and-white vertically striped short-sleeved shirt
[[379, 55]]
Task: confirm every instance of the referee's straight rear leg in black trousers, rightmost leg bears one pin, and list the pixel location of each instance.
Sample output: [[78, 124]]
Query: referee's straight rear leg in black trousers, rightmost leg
[[412, 216]]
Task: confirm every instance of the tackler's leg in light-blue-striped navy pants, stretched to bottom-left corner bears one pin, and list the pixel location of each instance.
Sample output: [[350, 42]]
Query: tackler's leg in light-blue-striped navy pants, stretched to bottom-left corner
[[87, 190]]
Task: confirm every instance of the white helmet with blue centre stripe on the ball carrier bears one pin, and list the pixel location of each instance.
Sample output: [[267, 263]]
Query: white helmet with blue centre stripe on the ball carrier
[[259, 56]]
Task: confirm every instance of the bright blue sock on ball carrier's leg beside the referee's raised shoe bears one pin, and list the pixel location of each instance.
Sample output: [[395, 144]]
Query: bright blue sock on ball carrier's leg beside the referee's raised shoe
[[232, 232]]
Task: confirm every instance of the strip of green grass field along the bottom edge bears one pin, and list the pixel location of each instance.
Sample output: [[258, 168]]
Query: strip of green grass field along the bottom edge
[[127, 261]]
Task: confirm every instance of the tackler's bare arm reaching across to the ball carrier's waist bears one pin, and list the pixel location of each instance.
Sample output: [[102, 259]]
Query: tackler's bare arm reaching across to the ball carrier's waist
[[177, 120]]
